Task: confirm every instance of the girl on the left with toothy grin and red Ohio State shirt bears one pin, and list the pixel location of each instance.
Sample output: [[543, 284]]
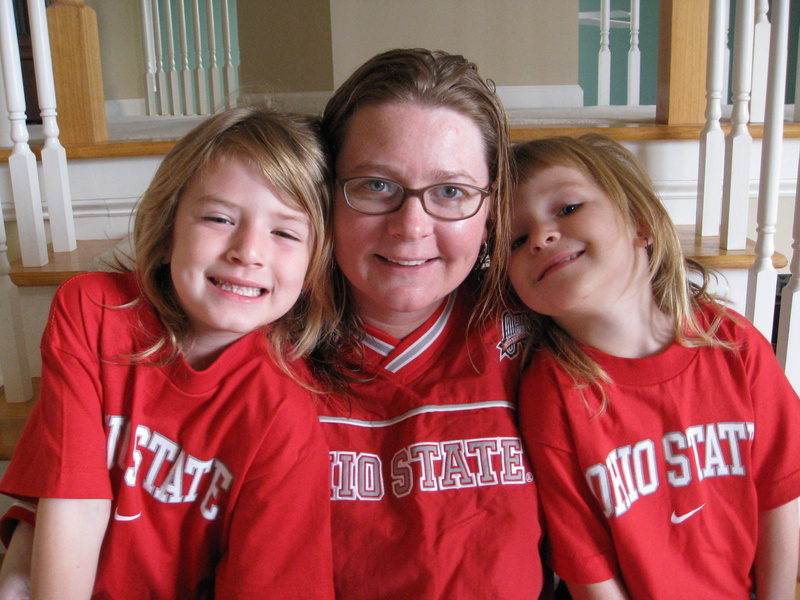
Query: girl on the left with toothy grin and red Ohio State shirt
[[170, 451]]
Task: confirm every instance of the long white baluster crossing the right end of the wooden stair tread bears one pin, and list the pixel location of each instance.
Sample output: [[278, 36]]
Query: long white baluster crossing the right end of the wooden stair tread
[[762, 277]]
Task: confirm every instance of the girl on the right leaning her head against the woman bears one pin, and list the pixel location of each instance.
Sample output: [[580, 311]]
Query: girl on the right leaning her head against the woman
[[663, 434]]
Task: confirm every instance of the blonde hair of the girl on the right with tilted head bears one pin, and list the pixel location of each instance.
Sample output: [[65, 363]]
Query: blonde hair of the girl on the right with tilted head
[[624, 180]]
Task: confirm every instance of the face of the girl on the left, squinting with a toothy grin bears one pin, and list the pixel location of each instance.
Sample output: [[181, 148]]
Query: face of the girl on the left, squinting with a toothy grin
[[239, 253]]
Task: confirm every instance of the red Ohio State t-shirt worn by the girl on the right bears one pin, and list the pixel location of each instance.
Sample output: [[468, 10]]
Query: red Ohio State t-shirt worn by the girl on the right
[[664, 488]]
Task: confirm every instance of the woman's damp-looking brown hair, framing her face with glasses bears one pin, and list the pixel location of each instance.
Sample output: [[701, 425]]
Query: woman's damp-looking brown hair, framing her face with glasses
[[437, 79]]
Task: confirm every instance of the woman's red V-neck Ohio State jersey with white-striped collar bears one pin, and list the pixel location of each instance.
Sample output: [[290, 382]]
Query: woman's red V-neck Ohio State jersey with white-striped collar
[[432, 493]]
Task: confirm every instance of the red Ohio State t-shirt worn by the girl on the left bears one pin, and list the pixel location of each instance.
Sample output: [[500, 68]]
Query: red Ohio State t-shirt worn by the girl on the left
[[218, 478]]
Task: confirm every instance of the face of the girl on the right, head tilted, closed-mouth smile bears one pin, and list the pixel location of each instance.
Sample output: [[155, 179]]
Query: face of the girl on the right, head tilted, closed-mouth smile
[[573, 255]]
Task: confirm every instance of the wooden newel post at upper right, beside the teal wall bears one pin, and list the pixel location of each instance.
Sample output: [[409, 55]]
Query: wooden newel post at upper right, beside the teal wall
[[682, 55]]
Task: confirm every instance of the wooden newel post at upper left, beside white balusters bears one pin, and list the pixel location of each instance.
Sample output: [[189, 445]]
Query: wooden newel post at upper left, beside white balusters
[[76, 72]]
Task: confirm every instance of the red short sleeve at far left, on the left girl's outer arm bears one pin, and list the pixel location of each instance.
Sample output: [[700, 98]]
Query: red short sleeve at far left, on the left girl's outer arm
[[62, 450]]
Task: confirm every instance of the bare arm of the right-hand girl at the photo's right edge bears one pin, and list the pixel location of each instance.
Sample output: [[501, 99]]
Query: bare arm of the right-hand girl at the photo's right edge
[[776, 553]]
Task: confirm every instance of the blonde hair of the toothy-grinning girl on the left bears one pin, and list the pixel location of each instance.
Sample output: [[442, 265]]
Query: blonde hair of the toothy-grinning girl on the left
[[287, 151]]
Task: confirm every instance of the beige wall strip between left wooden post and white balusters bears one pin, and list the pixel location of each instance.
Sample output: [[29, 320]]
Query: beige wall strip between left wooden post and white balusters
[[121, 54]]
